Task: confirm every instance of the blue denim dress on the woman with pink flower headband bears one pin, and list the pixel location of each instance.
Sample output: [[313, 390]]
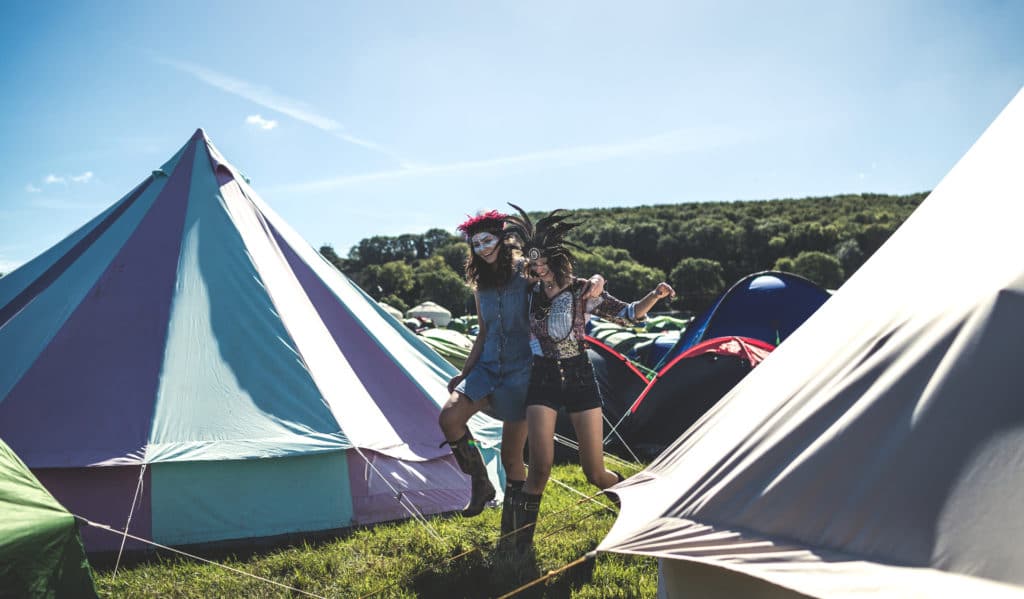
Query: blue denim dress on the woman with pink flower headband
[[503, 370]]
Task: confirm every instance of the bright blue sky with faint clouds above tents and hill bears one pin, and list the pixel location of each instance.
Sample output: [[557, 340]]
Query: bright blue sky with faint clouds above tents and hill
[[355, 119]]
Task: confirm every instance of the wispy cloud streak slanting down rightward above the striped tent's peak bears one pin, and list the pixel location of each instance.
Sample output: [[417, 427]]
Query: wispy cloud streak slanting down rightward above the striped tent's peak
[[269, 99]]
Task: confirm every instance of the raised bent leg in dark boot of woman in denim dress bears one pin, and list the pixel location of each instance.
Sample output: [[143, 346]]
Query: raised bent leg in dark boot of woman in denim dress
[[453, 420]]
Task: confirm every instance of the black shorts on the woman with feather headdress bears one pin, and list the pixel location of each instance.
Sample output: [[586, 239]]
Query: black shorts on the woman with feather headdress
[[566, 383]]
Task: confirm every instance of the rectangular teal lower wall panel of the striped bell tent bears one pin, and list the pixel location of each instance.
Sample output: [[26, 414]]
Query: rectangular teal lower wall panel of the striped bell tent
[[197, 502]]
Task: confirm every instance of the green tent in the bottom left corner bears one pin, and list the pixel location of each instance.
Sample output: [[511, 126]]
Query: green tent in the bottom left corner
[[41, 553]]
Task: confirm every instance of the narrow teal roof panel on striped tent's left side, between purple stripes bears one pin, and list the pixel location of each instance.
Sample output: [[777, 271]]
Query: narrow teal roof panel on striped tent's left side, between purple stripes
[[28, 333]]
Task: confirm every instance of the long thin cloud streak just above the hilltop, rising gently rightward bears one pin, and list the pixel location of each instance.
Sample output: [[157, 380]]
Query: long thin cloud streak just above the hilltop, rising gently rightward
[[679, 141]]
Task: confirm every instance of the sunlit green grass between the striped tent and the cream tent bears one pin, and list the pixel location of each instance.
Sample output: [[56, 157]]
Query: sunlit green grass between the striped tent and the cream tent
[[406, 561]]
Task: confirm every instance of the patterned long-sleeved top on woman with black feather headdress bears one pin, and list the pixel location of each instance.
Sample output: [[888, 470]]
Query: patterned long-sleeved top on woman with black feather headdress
[[558, 325]]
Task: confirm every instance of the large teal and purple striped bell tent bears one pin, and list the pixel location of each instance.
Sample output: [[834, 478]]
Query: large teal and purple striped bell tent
[[188, 354]]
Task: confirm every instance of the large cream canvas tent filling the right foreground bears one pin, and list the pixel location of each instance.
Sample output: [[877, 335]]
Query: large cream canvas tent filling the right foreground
[[880, 451]]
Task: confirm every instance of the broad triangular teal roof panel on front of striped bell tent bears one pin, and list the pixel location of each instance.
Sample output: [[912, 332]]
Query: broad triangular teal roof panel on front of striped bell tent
[[233, 386]]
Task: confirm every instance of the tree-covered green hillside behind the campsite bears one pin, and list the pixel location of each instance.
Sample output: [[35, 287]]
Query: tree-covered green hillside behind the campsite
[[701, 248]]
